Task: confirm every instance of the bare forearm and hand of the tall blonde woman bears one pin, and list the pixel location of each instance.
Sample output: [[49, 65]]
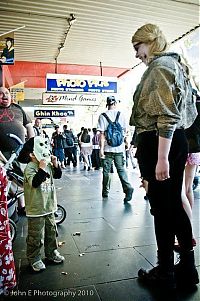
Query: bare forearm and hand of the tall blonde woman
[[162, 166]]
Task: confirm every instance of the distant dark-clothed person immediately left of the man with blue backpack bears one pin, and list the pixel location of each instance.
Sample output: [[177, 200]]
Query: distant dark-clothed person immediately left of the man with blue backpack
[[95, 149]]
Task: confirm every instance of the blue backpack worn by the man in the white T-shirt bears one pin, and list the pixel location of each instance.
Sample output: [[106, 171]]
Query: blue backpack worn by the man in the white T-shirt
[[114, 132]]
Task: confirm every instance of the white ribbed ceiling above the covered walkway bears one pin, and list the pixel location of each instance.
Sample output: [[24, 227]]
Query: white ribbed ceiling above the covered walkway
[[102, 31]]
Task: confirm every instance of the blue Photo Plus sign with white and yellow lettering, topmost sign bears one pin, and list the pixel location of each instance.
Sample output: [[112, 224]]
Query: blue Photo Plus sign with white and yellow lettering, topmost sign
[[80, 83]]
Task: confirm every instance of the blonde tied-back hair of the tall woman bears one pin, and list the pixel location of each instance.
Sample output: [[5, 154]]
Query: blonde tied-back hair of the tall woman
[[152, 35]]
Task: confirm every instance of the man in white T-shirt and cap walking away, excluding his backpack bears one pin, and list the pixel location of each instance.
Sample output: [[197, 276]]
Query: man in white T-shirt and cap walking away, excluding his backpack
[[111, 153]]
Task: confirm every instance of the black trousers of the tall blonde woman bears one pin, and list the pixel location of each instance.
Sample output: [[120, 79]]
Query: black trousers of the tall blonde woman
[[170, 218]]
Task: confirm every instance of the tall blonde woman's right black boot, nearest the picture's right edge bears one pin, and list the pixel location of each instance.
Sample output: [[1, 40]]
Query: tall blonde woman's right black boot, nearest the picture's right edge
[[186, 274]]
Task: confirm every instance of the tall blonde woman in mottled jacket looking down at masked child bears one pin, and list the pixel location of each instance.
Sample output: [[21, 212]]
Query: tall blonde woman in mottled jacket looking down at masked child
[[162, 108]]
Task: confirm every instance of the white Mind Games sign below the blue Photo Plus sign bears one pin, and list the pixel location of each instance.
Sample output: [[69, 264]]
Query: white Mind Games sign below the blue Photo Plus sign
[[71, 99]]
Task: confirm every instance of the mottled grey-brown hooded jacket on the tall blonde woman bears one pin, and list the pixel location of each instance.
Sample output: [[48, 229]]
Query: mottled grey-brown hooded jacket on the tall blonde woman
[[163, 99]]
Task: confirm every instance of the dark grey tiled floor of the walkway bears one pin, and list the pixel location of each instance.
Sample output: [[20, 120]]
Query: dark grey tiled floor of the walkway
[[115, 241]]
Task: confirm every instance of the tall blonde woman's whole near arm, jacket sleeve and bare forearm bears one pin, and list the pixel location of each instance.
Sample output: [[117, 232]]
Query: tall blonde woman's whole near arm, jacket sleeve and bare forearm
[[165, 106]]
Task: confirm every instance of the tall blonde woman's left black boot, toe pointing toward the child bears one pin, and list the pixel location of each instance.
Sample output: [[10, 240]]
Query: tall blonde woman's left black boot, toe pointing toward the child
[[160, 276]]
